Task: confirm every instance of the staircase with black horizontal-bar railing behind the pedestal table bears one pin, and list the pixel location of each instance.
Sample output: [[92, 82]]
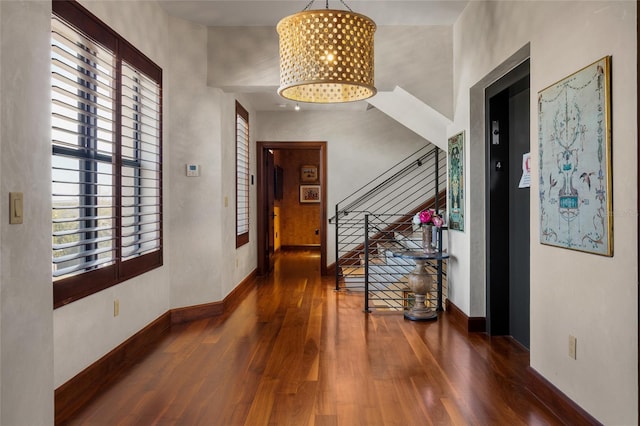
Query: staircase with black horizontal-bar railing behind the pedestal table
[[374, 220]]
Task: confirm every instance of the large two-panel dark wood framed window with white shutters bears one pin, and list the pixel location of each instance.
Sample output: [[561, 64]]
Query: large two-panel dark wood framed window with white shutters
[[106, 156]]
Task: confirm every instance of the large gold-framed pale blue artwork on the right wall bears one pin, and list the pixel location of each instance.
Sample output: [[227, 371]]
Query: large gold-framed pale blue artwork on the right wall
[[574, 166]]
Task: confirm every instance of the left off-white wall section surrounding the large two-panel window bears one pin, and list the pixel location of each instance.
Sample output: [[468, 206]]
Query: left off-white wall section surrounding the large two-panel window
[[86, 330]]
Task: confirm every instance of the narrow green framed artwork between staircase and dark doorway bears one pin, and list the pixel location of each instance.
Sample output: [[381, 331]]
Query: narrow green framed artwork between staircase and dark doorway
[[456, 182]]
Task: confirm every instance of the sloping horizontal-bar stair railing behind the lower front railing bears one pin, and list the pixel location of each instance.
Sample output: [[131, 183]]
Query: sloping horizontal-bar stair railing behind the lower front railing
[[412, 185]]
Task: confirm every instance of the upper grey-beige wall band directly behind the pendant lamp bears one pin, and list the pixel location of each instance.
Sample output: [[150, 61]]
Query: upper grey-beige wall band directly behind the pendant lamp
[[420, 57]]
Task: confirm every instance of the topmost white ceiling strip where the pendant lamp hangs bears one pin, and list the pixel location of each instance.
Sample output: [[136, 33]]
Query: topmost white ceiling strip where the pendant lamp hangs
[[268, 12]]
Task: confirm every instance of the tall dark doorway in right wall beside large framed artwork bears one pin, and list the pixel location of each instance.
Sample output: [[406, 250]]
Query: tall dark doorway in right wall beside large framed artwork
[[507, 103]]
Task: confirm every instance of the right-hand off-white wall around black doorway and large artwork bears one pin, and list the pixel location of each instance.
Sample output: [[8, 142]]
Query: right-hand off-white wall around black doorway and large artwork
[[591, 297]]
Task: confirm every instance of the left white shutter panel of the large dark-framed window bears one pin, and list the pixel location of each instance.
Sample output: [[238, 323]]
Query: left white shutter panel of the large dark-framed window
[[83, 141]]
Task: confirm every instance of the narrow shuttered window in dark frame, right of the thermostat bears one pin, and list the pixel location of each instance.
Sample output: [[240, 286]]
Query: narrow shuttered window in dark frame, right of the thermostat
[[242, 176]]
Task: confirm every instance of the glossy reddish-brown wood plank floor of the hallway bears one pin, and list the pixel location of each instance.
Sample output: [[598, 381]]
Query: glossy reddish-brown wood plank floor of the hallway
[[294, 352]]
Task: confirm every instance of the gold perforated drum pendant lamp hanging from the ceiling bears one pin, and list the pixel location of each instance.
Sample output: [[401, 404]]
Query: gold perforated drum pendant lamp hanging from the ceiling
[[326, 56]]
